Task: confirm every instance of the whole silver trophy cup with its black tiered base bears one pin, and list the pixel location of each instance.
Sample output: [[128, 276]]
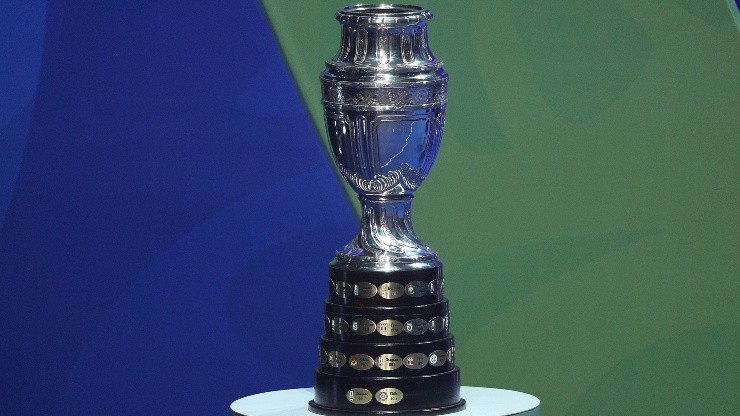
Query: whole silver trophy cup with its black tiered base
[[386, 348]]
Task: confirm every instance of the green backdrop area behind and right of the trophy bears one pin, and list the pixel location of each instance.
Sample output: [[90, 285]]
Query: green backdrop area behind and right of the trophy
[[585, 200]]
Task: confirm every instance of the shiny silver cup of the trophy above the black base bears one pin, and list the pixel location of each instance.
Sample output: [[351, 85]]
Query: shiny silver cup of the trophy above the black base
[[384, 95]]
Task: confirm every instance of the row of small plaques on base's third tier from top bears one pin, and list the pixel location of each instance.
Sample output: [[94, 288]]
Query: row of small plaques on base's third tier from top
[[388, 362]]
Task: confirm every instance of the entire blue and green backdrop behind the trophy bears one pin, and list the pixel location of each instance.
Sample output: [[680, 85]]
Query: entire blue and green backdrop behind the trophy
[[169, 209]]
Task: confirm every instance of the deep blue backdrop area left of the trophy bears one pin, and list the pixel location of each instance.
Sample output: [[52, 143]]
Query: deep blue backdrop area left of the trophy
[[167, 210]]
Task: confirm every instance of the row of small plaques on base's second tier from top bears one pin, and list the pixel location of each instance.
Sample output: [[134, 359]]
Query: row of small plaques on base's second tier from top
[[389, 327]]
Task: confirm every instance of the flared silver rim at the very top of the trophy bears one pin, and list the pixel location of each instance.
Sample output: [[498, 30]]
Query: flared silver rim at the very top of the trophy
[[385, 14]]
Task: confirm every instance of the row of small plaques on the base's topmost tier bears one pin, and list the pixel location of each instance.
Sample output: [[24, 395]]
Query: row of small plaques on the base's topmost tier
[[389, 290]]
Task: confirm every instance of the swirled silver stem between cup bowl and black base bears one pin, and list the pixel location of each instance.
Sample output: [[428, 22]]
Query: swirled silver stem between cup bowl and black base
[[386, 235]]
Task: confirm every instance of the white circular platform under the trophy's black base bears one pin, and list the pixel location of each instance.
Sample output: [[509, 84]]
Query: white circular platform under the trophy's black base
[[480, 401]]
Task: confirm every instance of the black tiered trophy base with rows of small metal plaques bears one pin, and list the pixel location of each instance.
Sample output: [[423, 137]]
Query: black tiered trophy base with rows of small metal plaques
[[387, 348]]
